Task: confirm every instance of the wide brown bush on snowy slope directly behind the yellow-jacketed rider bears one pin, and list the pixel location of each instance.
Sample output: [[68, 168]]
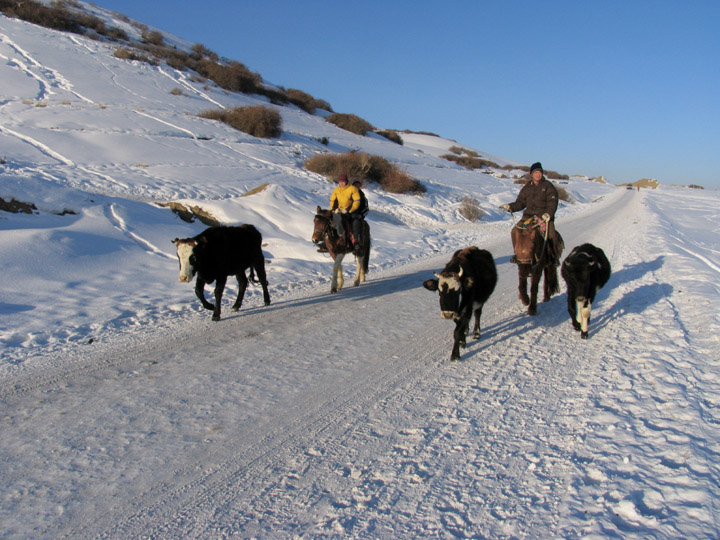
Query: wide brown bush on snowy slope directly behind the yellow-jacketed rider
[[362, 166]]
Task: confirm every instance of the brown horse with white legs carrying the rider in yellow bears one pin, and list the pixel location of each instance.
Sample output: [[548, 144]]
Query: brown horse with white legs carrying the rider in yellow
[[325, 235]]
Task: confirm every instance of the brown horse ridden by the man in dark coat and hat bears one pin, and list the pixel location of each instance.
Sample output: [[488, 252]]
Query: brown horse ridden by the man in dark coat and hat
[[534, 257]]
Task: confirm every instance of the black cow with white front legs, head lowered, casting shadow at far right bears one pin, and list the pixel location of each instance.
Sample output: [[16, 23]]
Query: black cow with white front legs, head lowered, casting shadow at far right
[[585, 271]]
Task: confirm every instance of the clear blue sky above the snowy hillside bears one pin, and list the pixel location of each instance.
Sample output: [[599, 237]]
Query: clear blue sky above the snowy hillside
[[625, 89]]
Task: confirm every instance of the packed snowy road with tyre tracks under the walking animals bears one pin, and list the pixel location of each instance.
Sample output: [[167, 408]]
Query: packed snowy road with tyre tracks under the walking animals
[[339, 416]]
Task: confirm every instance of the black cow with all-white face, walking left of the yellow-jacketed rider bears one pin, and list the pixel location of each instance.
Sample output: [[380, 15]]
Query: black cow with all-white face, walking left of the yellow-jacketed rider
[[219, 252]]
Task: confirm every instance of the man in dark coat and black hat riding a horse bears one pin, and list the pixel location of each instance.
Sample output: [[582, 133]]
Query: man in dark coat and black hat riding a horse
[[539, 198]]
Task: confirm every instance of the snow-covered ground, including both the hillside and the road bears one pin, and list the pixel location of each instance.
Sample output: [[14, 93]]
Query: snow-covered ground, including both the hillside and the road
[[127, 413]]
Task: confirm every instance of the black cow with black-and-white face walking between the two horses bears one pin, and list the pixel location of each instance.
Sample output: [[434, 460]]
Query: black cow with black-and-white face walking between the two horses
[[464, 285]]
